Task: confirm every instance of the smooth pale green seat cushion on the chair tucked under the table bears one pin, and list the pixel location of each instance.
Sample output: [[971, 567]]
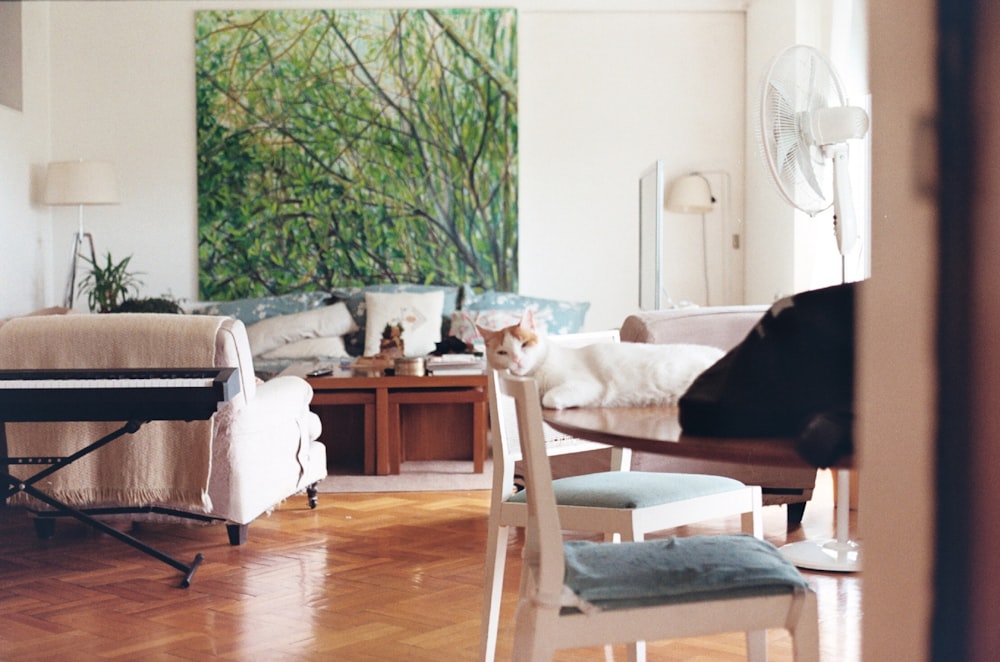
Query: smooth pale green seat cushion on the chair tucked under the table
[[633, 489]]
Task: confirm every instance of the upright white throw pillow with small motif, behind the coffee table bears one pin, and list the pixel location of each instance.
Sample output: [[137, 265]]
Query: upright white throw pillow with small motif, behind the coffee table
[[419, 313]]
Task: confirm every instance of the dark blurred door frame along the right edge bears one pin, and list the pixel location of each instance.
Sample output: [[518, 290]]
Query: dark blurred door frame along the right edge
[[966, 623]]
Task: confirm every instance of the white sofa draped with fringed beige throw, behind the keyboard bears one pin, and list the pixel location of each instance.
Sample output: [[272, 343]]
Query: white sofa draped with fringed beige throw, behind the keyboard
[[262, 445]]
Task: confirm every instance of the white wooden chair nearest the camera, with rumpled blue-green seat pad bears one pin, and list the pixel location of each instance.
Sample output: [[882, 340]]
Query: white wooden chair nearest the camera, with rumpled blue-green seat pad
[[584, 593]]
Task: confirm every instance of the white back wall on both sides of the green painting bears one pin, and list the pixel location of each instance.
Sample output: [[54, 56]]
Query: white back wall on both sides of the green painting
[[606, 89]]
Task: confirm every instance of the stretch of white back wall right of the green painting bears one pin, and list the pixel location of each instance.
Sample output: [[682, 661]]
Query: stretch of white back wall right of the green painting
[[603, 96]]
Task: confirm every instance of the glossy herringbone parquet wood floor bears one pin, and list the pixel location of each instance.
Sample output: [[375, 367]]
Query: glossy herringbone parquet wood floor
[[364, 577]]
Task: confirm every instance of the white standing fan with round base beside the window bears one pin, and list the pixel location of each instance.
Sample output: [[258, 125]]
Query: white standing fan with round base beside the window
[[803, 129]]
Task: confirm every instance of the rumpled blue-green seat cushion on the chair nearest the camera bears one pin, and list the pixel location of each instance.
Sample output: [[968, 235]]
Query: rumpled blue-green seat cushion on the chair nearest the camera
[[612, 576]]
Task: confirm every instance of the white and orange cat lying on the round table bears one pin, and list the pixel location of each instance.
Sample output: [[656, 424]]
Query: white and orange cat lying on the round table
[[598, 375]]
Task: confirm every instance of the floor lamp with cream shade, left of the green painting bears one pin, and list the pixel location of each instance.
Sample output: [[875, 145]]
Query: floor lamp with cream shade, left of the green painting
[[80, 183]]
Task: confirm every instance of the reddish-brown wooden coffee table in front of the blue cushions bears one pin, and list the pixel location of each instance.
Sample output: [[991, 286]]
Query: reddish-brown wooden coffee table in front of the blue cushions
[[402, 418]]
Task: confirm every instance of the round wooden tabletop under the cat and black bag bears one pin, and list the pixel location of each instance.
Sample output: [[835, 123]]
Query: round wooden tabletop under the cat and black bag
[[658, 430]]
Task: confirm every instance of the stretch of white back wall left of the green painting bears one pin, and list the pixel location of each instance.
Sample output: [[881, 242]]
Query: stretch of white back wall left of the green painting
[[123, 90]]
